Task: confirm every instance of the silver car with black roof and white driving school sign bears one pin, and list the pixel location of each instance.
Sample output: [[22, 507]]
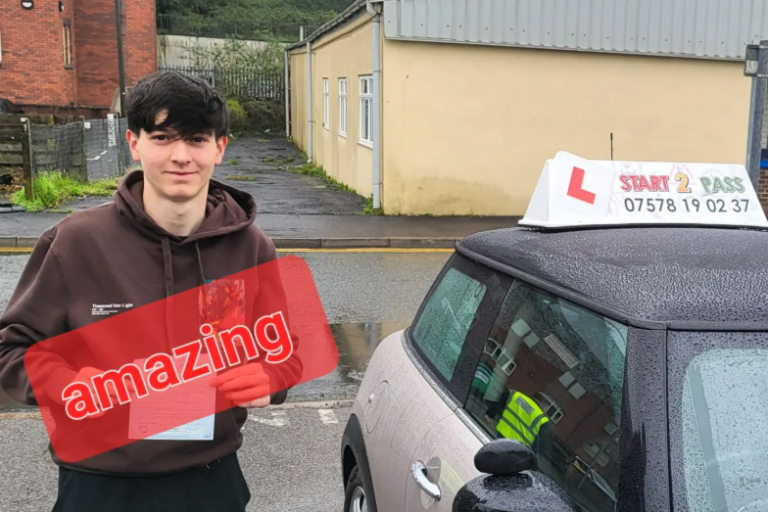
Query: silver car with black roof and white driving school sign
[[565, 365]]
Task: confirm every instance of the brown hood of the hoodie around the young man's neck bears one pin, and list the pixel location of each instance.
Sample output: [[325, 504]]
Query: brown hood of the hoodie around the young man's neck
[[227, 209]]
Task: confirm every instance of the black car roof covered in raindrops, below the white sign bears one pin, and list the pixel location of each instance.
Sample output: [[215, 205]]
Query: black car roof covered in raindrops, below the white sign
[[685, 277]]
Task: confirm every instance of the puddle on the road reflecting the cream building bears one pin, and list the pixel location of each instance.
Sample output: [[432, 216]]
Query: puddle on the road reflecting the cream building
[[355, 342]]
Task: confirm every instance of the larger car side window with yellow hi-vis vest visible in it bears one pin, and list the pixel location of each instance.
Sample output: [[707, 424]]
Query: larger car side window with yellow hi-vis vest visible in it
[[551, 377]]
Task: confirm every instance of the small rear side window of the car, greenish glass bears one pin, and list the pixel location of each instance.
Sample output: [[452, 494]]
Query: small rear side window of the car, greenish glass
[[448, 315]]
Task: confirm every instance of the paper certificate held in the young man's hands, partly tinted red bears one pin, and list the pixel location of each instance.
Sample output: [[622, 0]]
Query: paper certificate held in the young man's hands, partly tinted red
[[157, 411]]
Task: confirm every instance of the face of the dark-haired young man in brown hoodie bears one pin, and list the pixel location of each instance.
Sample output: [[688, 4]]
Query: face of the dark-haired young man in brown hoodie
[[177, 169]]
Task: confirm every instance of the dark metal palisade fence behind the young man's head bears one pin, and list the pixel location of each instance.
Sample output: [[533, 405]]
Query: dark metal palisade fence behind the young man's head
[[246, 83]]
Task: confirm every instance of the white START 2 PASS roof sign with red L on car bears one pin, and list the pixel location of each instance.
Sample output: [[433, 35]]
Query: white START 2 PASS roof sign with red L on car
[[573, 191]]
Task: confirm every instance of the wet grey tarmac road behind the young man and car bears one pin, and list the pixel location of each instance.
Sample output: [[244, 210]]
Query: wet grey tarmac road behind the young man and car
[[290, 455]]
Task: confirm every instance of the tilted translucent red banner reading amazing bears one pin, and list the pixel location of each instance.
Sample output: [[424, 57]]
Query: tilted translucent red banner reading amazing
[[267, 322]]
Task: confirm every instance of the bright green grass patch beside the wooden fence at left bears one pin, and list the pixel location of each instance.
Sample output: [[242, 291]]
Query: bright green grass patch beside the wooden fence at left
[[51, 189]]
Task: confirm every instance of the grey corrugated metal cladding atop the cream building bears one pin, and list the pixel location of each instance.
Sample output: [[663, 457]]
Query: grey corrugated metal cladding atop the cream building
[[718, 29]]
